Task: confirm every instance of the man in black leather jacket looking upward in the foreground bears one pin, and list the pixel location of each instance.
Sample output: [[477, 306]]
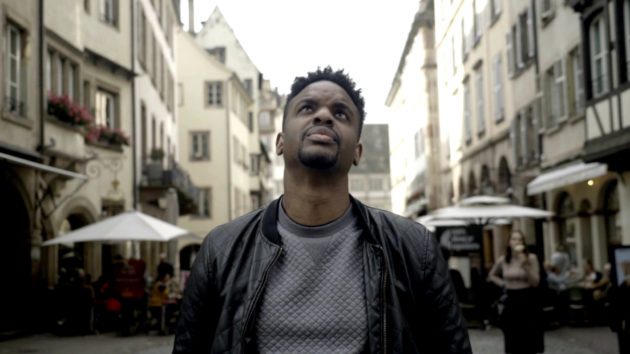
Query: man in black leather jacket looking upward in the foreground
[[317, 271]]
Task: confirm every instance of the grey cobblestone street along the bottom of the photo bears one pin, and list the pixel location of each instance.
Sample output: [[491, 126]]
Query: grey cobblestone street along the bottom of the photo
[[597, 340]]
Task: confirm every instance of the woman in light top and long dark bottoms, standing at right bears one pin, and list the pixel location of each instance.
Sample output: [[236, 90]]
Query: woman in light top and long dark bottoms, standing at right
[[517, 272]]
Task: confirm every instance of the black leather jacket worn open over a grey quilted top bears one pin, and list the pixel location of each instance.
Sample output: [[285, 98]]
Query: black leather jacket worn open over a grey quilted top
[[411, 305]]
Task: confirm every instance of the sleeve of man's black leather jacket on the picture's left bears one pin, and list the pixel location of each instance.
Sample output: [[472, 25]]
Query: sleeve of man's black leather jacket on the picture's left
[[198, 319]]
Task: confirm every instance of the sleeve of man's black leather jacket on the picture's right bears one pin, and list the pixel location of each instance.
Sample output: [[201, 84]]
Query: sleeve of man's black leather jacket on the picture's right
[[445, 324]]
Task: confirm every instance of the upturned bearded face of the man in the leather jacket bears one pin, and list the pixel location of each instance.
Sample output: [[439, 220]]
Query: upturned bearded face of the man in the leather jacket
[[320, 129]]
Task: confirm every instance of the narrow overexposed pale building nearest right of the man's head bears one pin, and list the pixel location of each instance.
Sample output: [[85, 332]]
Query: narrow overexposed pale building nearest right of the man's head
[[414, 126]]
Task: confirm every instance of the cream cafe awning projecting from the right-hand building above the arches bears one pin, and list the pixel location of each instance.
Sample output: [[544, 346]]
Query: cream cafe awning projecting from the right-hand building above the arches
[[565, 176]]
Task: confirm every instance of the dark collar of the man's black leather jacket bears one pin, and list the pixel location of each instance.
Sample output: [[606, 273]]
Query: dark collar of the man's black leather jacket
[[270, 221]]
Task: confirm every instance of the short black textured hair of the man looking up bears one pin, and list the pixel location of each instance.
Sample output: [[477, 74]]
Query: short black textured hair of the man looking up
[[328, 74]]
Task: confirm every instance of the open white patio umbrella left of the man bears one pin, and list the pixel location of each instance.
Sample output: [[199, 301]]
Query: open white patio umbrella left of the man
[[129, 226]]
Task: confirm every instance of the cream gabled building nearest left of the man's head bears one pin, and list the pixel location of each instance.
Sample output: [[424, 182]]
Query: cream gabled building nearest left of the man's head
[[213, 109]]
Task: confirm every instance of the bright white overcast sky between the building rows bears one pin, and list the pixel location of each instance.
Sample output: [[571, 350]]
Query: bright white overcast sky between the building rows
[[288, 38]]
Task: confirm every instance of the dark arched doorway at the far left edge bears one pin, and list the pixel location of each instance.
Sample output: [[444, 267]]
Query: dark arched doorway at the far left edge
[[15, 258]]
